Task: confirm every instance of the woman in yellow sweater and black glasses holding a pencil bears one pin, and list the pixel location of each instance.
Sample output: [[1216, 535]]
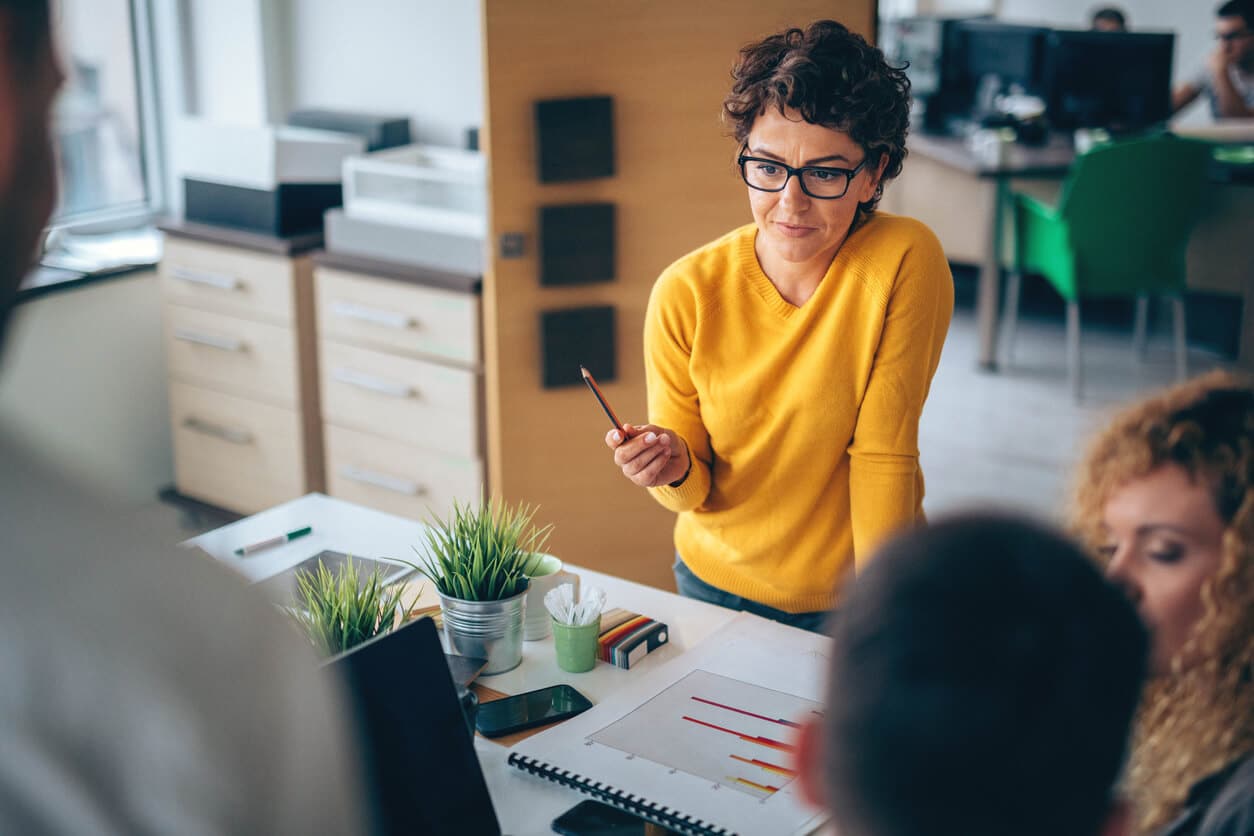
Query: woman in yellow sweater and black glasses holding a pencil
[[788, 362]]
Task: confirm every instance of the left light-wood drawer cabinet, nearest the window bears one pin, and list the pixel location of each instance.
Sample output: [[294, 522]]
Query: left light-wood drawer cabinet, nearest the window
[[243, 364]]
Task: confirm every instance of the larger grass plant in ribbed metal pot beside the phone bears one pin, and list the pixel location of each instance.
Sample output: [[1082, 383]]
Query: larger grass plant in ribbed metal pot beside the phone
[[478, 558]]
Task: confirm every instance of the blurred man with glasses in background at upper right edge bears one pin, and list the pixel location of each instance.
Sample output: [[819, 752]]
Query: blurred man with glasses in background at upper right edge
[[1228, 78]]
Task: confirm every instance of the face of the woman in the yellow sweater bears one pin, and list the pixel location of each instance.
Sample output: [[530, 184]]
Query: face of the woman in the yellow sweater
[[793, 227]]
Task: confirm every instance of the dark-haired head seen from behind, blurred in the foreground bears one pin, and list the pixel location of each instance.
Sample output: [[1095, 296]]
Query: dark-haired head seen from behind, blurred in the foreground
[[983, 681]]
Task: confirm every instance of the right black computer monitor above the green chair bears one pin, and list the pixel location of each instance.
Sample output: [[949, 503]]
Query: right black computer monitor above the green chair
[[1108, 80]]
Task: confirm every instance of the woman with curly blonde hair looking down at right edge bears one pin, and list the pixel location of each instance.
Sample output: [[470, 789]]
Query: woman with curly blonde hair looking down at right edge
[[1167, 498]]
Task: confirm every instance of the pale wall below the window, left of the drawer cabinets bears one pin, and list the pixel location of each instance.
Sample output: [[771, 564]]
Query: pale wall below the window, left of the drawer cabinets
[[83, 379]]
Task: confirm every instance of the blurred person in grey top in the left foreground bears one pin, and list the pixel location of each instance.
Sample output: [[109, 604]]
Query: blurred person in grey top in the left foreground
[[141, 692]]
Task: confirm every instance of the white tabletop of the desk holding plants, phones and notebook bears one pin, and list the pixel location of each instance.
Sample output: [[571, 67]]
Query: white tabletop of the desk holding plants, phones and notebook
[[525, 805]]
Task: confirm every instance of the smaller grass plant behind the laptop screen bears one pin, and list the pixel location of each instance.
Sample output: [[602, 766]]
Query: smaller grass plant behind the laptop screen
[[339, 611]]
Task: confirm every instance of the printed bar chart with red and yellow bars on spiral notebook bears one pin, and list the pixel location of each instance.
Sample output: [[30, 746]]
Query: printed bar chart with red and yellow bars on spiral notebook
[[730, 733]]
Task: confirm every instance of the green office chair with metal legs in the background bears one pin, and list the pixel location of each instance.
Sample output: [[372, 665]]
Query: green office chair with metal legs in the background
[[1122, 229]]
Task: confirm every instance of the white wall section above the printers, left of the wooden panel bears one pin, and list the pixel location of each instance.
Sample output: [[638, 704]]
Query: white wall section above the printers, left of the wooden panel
[[417, 58]]
